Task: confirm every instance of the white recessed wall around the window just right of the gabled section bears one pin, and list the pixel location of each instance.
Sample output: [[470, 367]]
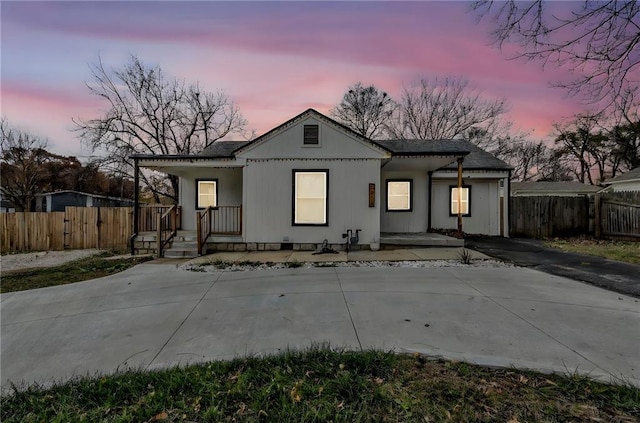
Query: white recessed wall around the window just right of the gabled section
[[401, 221]]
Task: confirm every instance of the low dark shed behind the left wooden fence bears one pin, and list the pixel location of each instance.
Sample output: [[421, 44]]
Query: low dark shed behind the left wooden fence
[[58, 200]]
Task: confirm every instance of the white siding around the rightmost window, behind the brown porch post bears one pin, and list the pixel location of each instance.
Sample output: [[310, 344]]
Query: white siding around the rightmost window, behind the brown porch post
[[485, 206]]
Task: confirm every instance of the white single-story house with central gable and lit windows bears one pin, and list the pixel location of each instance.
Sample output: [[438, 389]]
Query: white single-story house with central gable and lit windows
[[312, 179]]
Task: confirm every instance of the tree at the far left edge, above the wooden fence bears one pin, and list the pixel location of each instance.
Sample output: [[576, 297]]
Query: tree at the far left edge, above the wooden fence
[[22, 165]]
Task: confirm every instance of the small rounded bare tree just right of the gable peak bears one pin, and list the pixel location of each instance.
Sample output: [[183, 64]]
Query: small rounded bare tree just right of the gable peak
[[366, 110]]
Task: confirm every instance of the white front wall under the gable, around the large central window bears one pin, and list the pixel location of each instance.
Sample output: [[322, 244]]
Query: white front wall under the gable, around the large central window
[[268, 201]]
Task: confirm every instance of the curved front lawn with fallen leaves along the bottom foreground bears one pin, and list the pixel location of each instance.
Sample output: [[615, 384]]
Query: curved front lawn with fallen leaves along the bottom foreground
[[320, 386]]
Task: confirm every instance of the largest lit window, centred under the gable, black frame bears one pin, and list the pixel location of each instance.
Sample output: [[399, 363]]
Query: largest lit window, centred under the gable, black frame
[[310, 197]]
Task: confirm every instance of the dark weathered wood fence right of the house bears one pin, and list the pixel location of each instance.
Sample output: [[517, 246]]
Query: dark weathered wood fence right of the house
[[614, 215]]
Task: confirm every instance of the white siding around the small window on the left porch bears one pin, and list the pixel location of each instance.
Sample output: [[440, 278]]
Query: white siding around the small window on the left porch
[[229, 190]]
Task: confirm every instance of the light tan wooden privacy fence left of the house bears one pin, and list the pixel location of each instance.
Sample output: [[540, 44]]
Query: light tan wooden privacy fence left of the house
[[75, 228]]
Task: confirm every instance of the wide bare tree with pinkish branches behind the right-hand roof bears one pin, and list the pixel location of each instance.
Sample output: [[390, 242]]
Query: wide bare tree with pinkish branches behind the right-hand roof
[[444, 109]]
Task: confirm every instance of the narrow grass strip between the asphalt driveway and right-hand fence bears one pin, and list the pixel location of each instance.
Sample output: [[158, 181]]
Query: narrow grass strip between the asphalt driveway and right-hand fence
[[614, 250]]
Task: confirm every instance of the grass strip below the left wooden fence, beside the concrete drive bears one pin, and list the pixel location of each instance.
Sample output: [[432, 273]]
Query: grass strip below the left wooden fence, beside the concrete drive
[[75, 271]]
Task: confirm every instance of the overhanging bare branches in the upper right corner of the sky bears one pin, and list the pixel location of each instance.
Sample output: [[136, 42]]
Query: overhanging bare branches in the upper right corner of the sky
[[599, 41]]
